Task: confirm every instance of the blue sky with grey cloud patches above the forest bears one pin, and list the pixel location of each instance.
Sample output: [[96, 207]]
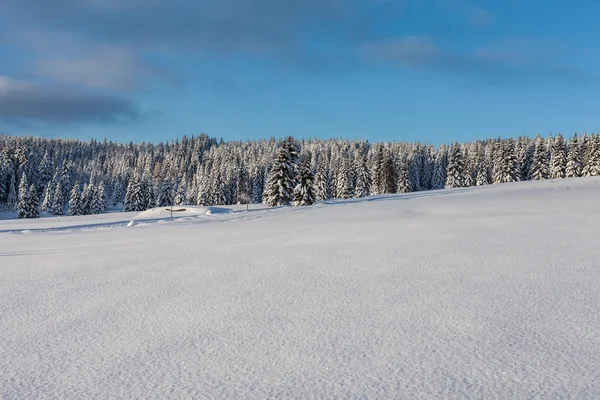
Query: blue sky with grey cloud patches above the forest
[[428, 70]]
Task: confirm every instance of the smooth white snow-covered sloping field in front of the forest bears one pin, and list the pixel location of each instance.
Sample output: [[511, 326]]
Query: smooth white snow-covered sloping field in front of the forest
[[480, 293]]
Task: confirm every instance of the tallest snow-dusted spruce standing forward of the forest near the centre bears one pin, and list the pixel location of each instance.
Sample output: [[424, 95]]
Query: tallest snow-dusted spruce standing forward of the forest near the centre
[[281, 181]]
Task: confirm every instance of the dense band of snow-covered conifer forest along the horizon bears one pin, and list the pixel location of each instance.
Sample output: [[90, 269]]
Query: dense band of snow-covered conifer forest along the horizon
[[74, 177]]
